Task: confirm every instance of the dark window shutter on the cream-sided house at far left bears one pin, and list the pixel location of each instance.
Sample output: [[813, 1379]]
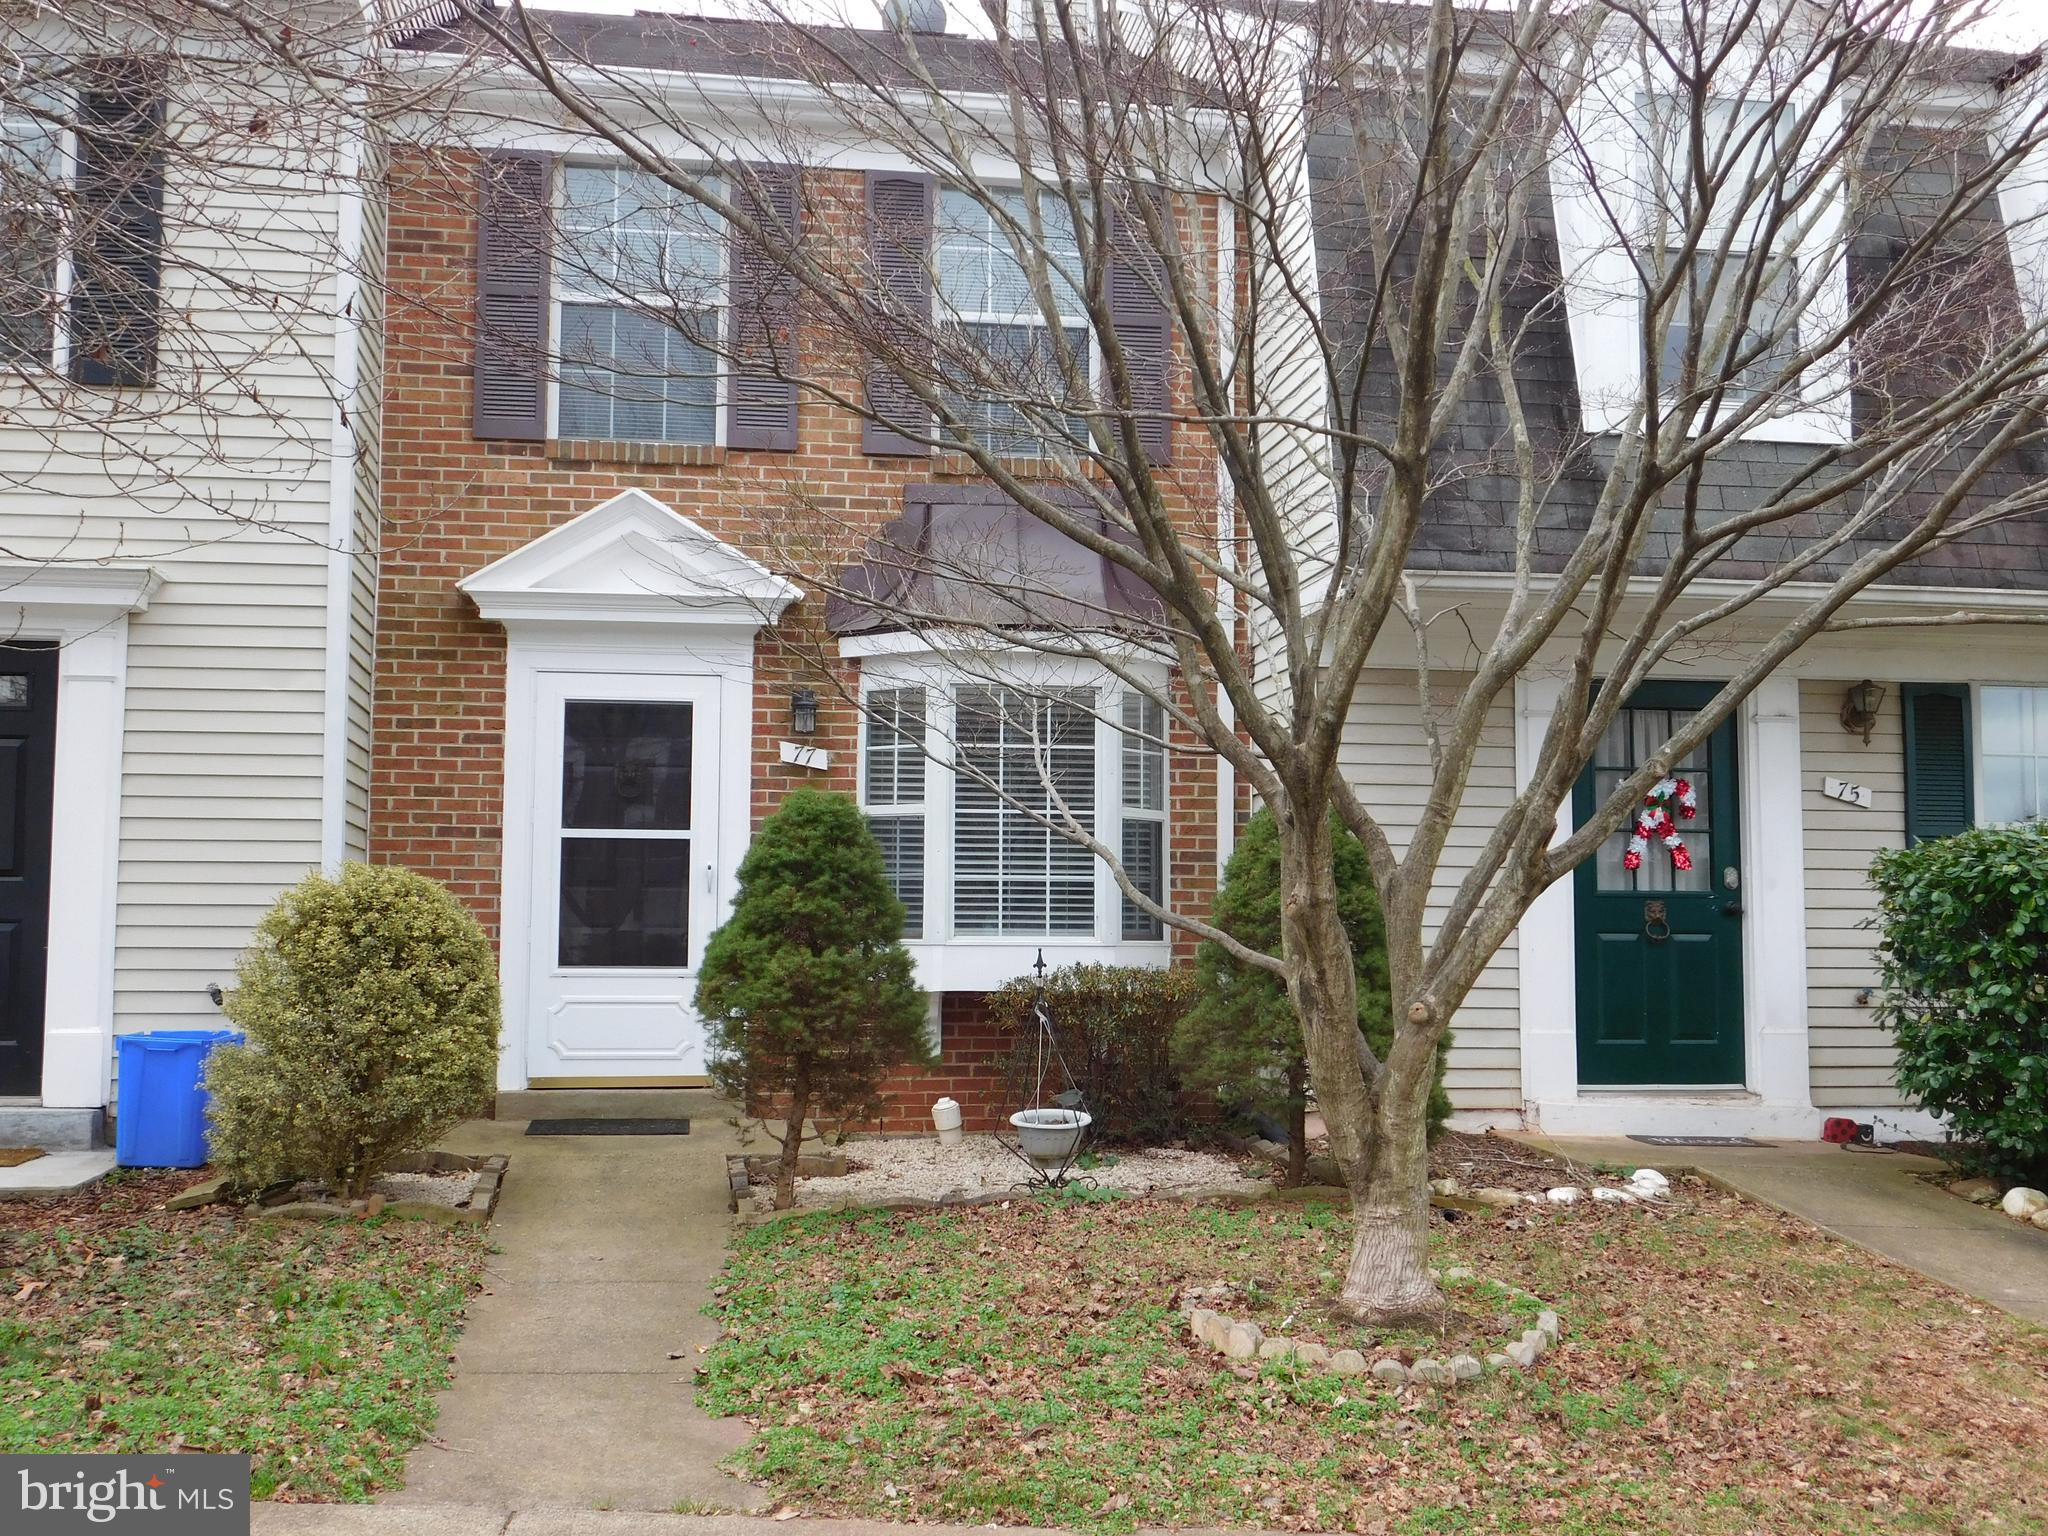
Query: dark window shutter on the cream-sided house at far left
[[118, 263]]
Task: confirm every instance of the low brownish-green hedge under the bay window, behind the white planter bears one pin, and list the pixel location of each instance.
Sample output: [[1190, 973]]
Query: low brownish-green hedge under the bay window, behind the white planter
[[1115, 1023]]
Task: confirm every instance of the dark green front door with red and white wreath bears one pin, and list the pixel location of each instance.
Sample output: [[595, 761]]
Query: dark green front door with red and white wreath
[[1662, 949]]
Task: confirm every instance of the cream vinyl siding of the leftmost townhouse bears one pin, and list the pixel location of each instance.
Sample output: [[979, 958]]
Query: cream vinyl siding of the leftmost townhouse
[[228, 503]]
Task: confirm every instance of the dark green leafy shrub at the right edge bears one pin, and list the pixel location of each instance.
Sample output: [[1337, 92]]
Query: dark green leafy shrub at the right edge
[[1963, 957]]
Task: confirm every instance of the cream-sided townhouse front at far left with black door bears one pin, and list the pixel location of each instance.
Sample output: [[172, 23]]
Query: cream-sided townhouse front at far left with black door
[[189, 370]]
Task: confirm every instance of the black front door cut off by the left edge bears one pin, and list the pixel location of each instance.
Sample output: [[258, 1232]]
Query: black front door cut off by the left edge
[[28, 761]]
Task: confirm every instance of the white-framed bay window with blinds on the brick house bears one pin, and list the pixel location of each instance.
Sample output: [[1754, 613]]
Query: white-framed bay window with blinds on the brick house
[[966, 824]]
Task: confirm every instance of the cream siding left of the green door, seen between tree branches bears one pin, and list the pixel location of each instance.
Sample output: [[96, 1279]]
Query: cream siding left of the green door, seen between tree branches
[[1388, 759]]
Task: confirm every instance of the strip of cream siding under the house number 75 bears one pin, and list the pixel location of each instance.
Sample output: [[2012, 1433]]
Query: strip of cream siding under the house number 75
[[1850, 1056]]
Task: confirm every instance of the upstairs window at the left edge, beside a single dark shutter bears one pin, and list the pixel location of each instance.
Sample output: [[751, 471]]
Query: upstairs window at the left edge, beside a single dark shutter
[[32, 177]]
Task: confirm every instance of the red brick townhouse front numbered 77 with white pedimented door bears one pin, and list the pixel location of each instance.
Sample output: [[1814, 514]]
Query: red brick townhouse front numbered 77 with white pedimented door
[[591, 685]]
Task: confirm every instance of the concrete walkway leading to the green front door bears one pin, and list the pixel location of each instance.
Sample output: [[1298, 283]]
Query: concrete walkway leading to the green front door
[[1873, 1201]]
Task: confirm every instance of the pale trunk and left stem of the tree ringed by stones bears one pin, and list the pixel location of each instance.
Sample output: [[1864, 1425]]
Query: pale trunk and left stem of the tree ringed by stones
[[1377, 1117]]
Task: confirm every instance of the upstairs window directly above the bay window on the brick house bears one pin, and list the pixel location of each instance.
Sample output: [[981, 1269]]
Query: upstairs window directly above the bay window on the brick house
[[986, 296]]
